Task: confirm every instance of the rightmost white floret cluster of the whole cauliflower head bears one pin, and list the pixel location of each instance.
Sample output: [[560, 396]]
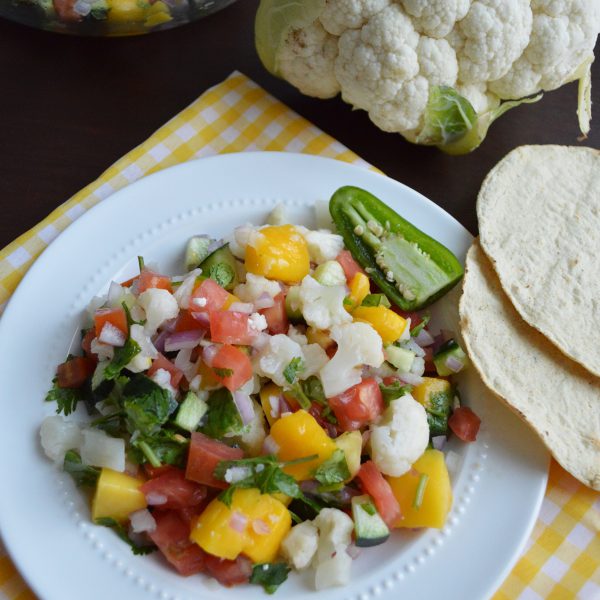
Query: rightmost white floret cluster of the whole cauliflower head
[[563, 37]]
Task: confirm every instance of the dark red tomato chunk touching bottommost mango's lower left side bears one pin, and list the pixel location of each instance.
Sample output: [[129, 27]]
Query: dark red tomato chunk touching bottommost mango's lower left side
[[172, 536]]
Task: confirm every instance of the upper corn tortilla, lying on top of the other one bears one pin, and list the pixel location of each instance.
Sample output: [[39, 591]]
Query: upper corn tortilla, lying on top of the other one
[[539, 223]]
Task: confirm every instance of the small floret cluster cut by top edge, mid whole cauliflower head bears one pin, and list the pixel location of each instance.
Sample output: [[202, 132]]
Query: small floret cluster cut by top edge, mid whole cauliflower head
[[436, 18]]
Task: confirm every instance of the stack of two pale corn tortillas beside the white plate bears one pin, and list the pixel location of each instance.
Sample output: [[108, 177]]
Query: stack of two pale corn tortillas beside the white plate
[[530, 308]]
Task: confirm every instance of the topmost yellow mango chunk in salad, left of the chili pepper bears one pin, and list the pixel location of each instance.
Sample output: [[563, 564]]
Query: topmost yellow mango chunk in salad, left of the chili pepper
[[278, 252]]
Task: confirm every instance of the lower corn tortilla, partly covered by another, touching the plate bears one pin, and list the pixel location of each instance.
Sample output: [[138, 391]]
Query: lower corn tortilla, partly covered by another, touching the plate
[[556, 396]]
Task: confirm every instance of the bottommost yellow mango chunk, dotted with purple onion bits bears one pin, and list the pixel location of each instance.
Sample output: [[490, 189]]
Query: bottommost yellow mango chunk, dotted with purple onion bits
[[265, 521]]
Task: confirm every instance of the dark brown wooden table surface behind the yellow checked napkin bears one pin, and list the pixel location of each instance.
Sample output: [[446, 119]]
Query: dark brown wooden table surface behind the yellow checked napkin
[[71, 106]]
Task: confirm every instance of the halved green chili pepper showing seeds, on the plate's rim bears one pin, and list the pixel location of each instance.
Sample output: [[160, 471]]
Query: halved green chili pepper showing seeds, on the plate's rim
[[411, 268]]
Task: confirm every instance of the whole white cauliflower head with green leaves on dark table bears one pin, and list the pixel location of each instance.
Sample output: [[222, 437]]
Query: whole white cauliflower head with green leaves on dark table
[[435, 71]]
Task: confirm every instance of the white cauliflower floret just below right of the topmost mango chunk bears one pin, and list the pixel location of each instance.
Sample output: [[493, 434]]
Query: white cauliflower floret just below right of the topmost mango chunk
[[322, 306]]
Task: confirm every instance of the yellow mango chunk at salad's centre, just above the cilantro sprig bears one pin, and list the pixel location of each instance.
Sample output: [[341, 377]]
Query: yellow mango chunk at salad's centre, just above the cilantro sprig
[[299, 435]]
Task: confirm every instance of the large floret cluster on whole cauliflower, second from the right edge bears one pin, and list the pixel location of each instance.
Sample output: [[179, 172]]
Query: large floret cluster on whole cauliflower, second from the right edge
[[490, 38]]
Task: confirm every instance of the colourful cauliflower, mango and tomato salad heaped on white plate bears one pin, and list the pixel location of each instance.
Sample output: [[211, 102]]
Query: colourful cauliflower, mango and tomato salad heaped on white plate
[[273, 408]]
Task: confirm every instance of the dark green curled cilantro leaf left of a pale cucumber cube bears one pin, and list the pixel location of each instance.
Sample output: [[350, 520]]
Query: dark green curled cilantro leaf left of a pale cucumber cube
[[147, 405]]
